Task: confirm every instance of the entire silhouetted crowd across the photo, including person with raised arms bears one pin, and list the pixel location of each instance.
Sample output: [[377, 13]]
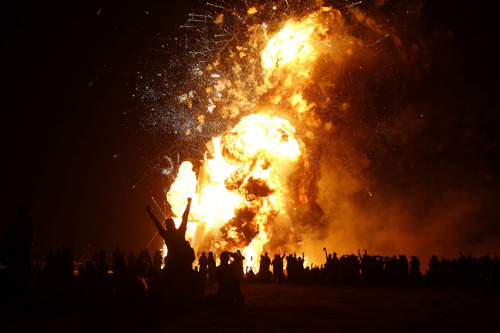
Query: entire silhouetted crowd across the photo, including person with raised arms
[[173, 282]]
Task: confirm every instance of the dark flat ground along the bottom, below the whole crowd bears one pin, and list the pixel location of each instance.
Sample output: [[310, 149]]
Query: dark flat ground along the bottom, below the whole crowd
[[295, 308]]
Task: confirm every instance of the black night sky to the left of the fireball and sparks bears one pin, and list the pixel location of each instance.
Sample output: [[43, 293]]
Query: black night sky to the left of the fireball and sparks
[[71, 74]]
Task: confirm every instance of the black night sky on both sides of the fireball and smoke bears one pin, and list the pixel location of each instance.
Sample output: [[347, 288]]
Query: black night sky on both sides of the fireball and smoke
[[68, 108]]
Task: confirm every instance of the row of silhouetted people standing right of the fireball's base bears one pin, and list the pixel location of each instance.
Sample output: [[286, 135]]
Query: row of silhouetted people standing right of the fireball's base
[[374, 270]]
